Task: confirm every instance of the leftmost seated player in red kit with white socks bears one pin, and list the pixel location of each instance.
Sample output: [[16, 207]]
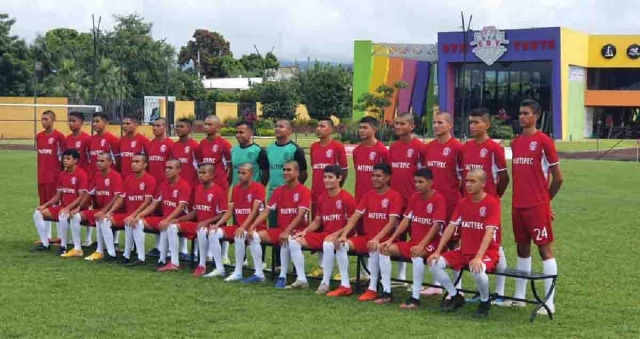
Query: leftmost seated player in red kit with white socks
[[73, 185]]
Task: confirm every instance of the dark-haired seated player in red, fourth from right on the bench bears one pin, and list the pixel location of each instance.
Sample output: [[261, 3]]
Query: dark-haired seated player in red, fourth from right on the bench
[[334, 208]]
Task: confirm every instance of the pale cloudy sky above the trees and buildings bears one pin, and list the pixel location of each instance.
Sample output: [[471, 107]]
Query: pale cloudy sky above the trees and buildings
[[322, 29]]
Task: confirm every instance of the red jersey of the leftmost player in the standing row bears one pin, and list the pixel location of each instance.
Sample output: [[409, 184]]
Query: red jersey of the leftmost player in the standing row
[[50, 148]]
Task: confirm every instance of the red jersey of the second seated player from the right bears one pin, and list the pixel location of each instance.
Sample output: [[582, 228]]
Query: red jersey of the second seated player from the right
[[424, 213]]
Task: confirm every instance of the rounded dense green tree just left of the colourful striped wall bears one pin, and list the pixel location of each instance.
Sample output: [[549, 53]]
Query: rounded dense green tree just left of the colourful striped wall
[[326, 90]]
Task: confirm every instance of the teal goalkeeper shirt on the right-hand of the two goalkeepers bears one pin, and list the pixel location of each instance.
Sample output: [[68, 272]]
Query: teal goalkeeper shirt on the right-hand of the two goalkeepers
[[278, 155]]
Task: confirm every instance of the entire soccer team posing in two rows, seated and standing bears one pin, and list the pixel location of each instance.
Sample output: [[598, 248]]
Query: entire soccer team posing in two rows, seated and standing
[[435, 204]]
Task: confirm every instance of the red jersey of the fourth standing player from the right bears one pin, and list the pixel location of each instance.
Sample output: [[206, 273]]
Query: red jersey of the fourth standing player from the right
[[405, 160]]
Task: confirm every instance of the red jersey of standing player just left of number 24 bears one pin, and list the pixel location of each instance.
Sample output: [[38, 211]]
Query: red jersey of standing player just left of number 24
[[488, 156]]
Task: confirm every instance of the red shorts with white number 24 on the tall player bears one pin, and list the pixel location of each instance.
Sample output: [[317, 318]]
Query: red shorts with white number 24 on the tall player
[[532, 223]]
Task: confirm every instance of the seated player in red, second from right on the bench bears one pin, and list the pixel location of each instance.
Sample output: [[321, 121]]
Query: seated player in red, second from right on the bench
[[426, 214]]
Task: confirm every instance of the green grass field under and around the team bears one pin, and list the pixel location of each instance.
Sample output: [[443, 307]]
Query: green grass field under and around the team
[[46, 296]]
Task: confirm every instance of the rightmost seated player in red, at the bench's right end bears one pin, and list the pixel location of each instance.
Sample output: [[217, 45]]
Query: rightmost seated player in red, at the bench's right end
[[478, 218]]
